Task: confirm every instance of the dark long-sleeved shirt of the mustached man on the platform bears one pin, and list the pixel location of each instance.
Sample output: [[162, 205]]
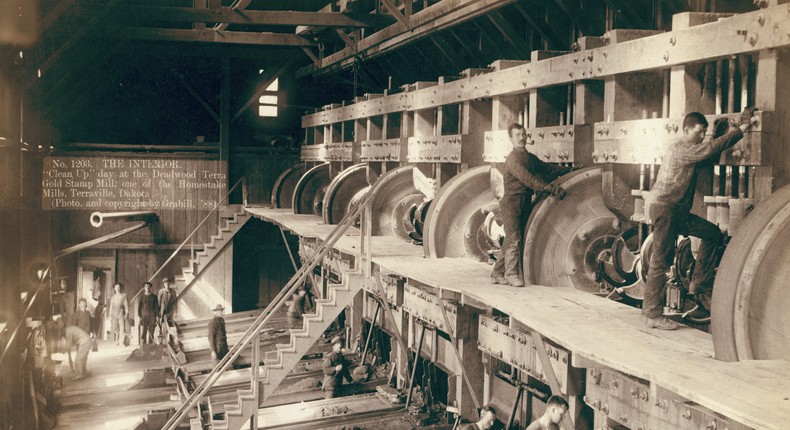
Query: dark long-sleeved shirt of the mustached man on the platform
[[524, 173]]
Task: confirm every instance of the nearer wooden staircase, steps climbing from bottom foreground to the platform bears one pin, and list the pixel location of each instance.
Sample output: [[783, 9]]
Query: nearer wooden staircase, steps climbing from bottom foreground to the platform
[[278, 363]]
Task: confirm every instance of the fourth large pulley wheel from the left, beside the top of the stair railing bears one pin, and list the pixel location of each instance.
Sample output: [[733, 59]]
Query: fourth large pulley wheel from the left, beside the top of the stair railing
[[394, 198]]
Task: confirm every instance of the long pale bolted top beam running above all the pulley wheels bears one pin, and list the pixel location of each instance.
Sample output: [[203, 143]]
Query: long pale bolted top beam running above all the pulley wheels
[[723, 39]]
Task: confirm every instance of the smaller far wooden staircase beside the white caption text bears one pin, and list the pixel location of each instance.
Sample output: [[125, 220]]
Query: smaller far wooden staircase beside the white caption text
[[231, 221]]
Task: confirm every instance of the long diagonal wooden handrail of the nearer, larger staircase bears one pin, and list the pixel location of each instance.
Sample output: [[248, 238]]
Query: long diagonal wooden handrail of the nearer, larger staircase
[[253, 331]]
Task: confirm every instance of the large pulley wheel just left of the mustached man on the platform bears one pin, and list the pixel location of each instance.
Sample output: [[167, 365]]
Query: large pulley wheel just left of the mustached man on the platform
[[457, 217]]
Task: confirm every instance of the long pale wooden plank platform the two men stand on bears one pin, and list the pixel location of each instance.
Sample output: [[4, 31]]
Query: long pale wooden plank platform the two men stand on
[[755, 393]]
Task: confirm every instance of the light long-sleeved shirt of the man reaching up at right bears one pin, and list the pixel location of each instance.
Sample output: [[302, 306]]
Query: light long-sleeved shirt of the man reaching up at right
[[677, 179]]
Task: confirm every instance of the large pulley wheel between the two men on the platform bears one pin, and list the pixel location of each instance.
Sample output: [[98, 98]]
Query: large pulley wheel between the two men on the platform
[[565, 239]]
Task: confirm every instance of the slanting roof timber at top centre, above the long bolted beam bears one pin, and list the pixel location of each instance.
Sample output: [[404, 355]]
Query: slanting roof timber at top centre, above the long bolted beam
[[440, 16]]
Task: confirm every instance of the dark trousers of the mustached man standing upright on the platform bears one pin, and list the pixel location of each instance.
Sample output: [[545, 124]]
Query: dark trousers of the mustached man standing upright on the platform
[[514, 211]]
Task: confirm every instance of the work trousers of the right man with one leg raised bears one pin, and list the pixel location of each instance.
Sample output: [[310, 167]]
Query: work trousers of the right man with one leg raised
[[668, 223]]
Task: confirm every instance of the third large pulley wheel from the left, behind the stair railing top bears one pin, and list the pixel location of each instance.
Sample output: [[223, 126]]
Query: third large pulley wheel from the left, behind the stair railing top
[[346, 188]]
